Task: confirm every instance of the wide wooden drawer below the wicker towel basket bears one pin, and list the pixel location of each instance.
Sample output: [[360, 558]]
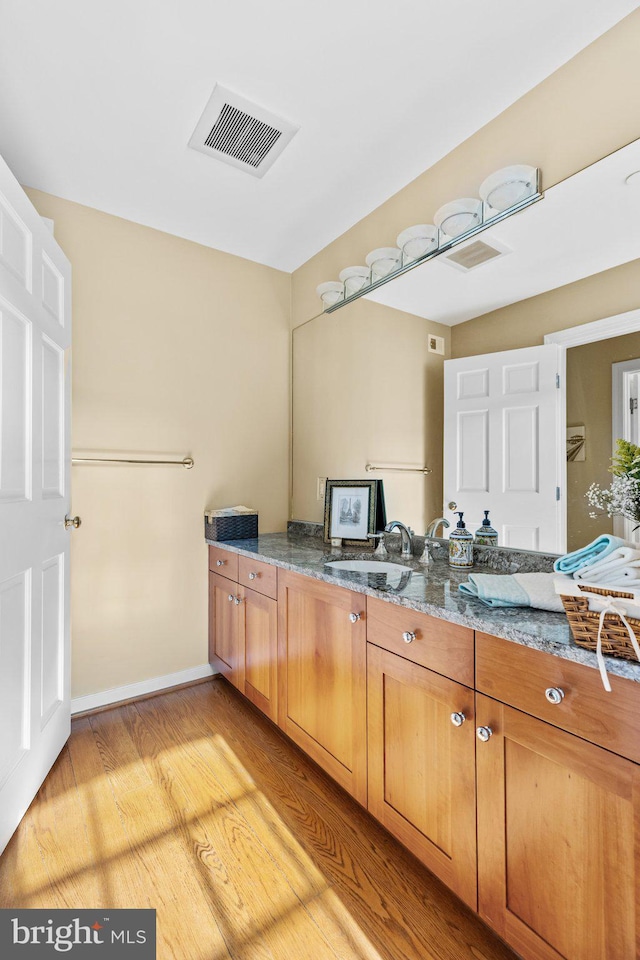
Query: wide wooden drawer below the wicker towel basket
[[520, 677]]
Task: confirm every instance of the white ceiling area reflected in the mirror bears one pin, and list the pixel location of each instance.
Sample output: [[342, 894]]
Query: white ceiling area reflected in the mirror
[[582, 226]]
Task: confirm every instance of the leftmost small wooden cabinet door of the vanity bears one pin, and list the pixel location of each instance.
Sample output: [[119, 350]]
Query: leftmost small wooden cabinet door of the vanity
[[224, 647]]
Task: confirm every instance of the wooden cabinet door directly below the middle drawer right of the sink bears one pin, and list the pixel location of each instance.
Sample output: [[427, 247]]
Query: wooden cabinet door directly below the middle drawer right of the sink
[[422, 767]]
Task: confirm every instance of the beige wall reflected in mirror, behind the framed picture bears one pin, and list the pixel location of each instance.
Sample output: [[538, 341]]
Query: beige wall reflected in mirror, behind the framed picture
[[367, 390]]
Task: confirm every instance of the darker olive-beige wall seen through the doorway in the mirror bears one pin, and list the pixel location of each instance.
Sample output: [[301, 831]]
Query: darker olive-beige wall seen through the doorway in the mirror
[[589, 403]]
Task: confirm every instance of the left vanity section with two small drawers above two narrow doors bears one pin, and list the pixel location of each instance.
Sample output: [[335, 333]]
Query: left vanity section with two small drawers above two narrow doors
[[243, 627]]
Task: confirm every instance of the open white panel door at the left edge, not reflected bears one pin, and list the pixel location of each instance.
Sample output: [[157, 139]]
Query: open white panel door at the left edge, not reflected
[[35, 341]]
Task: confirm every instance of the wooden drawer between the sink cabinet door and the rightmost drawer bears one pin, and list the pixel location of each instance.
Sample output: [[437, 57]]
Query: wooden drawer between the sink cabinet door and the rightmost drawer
[[439, 645]]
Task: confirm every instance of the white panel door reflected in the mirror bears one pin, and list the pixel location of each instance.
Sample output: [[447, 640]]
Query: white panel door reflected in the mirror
[[504, 444]]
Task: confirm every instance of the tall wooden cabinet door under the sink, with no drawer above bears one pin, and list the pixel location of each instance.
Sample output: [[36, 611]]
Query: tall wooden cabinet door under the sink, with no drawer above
[[322, 676]]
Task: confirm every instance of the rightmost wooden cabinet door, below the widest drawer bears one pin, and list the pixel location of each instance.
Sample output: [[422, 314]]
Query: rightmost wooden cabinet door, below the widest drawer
[[558, 834]]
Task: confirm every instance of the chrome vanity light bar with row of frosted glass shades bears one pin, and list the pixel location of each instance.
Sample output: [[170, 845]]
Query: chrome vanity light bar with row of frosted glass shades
[[503, 193]]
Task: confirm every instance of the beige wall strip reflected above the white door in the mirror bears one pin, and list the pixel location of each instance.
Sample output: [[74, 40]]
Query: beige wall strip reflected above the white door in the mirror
[[525, 324]]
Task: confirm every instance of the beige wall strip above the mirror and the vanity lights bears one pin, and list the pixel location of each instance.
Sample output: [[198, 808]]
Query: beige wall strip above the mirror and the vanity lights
[[582, 112]]
